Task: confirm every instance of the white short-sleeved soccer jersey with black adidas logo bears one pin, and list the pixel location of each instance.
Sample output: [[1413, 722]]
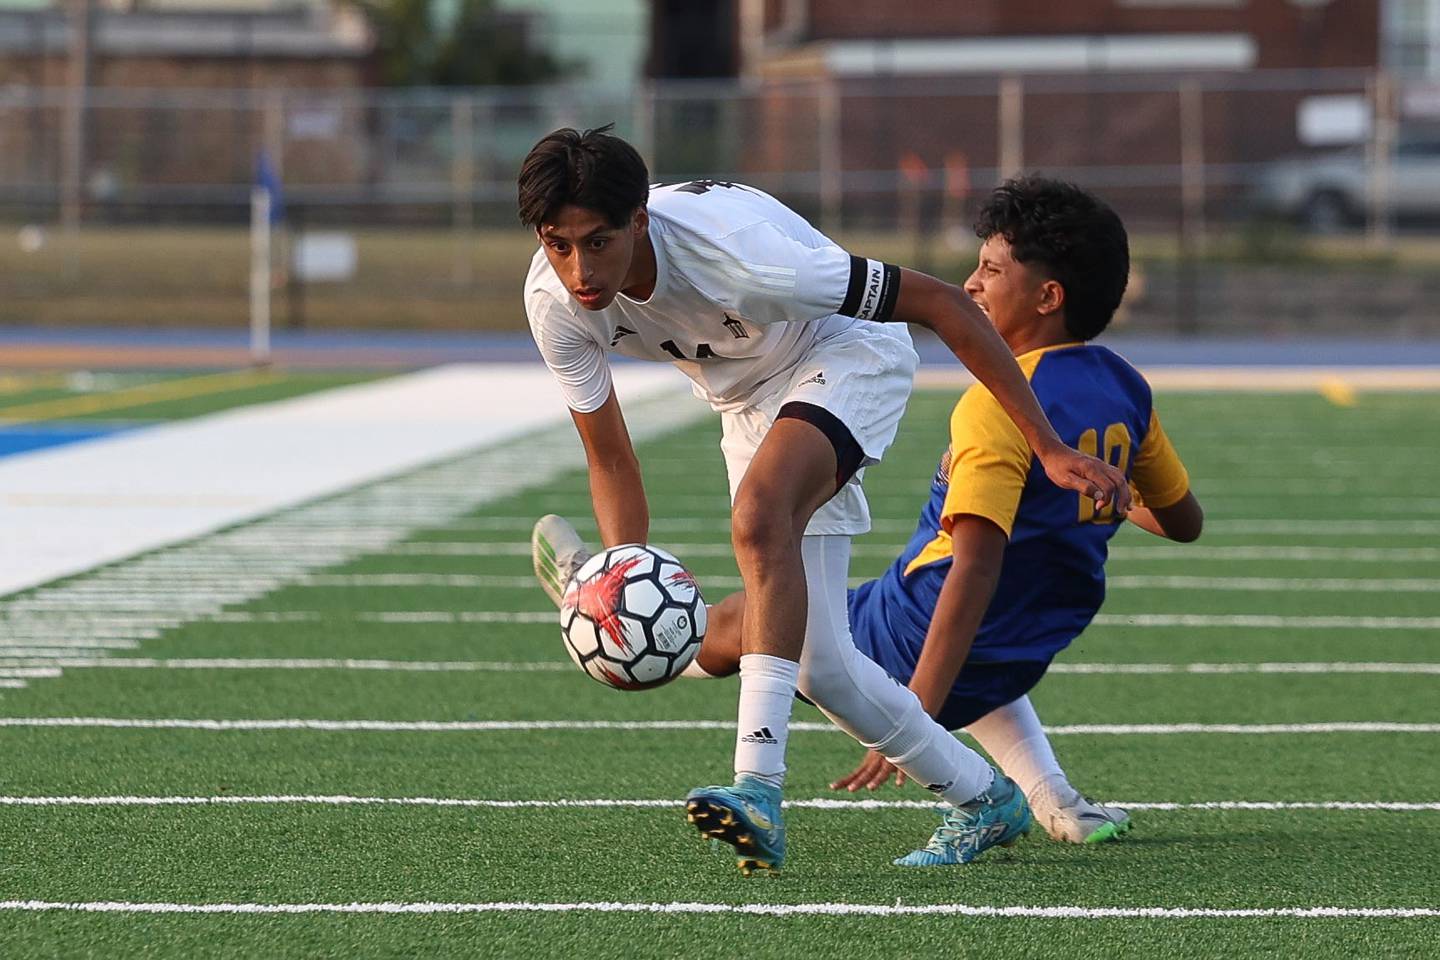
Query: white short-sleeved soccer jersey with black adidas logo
[[744, 289]]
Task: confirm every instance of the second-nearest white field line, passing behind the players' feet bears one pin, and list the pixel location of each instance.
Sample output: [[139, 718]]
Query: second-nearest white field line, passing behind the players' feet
[[816, 804]]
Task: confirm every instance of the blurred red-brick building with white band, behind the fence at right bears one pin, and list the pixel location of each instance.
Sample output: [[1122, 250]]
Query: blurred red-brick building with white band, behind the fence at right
[[1095, 90]]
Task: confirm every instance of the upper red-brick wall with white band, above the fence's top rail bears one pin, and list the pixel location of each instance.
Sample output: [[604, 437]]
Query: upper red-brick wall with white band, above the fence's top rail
[[1036, 35]]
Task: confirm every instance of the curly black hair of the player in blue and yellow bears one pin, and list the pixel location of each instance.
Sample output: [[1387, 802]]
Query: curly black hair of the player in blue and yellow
[[1072, 237]]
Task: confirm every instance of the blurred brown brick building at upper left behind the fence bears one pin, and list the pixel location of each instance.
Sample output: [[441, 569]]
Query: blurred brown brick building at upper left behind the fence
[[178, 97]]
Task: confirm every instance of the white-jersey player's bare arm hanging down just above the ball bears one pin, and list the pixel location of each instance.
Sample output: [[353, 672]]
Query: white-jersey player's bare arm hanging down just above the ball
[[617, 489]]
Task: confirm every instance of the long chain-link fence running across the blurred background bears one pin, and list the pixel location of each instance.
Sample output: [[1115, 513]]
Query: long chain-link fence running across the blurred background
[[130, 207]]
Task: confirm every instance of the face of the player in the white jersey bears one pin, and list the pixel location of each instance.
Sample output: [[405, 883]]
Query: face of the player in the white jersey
[[591, 257]]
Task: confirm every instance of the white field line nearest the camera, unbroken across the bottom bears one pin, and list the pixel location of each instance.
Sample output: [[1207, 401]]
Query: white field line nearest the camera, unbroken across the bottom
[[755, 910]]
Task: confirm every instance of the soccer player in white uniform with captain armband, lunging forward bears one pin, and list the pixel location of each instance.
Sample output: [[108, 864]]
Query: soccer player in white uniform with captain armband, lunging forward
[[801, 349]]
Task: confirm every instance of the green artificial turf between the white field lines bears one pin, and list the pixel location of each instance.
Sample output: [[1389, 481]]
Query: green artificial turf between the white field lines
[[1239, 448]]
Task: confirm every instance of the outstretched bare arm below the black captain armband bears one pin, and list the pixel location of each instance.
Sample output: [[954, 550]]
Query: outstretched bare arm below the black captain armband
[[964, 329]]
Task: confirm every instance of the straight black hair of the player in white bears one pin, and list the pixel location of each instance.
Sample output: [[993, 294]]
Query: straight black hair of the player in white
[[594, 171]]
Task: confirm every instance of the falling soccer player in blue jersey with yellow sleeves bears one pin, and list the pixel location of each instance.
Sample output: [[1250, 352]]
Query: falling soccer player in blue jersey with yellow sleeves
[[1006, 569]]
